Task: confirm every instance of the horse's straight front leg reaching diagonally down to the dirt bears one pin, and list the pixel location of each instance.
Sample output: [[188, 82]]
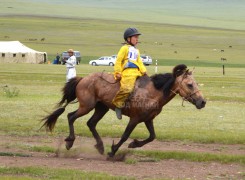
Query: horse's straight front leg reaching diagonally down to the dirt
[[130, 127]]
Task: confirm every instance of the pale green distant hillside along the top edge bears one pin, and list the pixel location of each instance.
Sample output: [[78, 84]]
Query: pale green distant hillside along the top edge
[[204, 13]]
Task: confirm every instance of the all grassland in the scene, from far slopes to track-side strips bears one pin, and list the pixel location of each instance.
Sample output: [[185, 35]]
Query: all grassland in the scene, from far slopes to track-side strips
[[172, 41]]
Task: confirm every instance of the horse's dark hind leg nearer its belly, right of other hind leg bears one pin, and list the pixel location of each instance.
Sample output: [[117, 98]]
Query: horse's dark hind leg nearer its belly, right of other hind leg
[[100, 111]]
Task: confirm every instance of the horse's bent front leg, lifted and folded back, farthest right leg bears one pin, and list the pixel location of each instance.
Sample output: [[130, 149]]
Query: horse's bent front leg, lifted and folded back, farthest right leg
[[150, 127]]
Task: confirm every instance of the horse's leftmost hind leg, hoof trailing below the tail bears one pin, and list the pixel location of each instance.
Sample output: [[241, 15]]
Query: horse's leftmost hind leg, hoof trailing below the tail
[[71, 119]]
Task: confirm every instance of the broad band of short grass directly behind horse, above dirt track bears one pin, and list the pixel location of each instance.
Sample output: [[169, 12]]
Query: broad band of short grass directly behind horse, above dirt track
[[221, 121]]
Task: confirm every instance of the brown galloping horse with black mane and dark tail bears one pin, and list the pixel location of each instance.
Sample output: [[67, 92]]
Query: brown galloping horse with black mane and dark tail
[[97, 90]]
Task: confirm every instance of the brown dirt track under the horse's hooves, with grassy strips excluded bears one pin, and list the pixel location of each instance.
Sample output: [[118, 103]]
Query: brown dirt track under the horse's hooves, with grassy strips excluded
[[83, 156]]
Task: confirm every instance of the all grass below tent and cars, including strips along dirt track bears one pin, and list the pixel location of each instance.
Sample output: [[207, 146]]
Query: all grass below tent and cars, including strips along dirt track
[[39, 85]]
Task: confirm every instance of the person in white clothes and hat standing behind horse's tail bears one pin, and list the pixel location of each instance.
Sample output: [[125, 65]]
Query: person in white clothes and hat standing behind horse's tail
[[70, 65]]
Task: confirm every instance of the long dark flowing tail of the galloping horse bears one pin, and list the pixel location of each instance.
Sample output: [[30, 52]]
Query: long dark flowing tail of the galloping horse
[[69, 95]]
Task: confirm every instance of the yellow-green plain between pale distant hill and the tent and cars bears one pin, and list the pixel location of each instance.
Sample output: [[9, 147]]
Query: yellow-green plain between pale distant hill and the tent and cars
[[190, 42]]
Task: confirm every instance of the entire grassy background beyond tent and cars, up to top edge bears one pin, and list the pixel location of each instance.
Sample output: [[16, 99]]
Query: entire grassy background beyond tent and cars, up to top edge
[[172, 31]]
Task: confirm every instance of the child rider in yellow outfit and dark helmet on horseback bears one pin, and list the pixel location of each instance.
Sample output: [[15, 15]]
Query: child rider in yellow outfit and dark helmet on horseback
[[127, 68]]
